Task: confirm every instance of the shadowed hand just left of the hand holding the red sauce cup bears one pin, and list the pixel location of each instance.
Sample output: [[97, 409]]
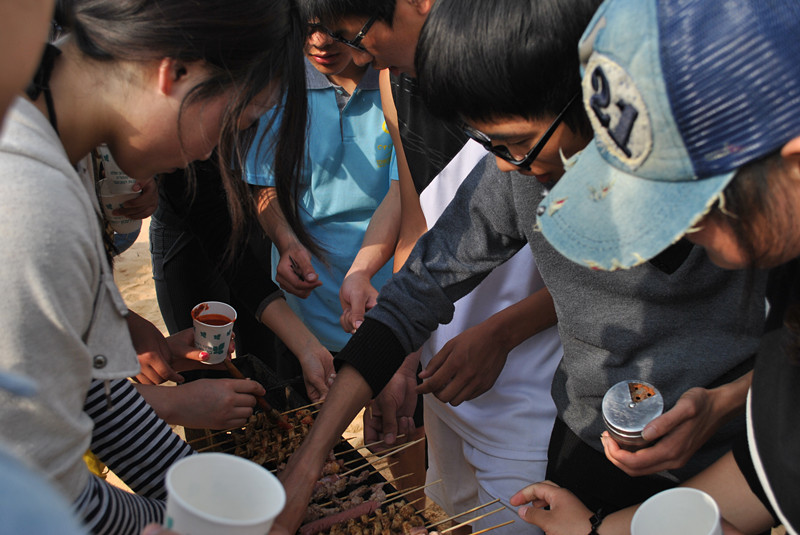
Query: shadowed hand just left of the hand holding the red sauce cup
[[155, 356]]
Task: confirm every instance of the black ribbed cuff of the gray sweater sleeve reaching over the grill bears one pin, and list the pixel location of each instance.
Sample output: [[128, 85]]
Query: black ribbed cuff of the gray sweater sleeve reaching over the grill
[[374, 352]]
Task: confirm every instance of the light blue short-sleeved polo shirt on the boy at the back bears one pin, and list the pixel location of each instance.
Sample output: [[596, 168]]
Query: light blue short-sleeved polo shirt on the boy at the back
[[347, 175]]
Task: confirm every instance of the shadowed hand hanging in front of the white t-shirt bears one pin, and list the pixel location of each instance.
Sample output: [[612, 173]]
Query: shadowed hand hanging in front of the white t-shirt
[[466, 367]]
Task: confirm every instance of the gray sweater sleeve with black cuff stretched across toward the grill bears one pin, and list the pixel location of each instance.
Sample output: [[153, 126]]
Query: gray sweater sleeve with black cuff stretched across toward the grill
[[477, 232]]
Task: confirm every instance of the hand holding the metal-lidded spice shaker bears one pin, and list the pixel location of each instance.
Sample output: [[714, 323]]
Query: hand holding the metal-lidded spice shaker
[[681, 430]]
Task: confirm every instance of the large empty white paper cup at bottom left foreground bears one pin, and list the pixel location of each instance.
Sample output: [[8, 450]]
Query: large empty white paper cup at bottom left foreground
[[214, 493]]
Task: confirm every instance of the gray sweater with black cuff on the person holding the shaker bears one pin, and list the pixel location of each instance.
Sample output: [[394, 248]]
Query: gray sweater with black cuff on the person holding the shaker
[[695, 327]]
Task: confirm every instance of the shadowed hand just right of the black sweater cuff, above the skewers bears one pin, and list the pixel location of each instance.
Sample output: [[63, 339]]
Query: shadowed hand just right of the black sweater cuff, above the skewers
[[391, 413]]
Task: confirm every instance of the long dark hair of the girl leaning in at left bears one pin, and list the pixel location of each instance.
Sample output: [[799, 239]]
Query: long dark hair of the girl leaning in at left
[[247, 45]]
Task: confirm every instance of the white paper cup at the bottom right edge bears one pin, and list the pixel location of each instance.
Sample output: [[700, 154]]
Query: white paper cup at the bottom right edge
[[682, 510]]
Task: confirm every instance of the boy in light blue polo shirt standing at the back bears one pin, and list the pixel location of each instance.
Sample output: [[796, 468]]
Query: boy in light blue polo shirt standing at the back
[[347, 170]]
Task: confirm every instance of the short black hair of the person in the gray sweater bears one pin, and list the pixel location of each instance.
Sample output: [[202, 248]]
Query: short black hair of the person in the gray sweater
[[484, 60]]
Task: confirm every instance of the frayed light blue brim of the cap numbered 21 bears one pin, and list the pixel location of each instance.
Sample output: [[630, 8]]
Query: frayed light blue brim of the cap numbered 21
[[606, 219]]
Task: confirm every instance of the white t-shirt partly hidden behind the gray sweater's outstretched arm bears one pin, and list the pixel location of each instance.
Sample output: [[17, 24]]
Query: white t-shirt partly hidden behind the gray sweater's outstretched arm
[[514, 418]]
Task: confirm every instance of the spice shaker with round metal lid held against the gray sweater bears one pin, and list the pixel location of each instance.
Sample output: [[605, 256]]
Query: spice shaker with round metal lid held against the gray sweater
[[628, 407]]
